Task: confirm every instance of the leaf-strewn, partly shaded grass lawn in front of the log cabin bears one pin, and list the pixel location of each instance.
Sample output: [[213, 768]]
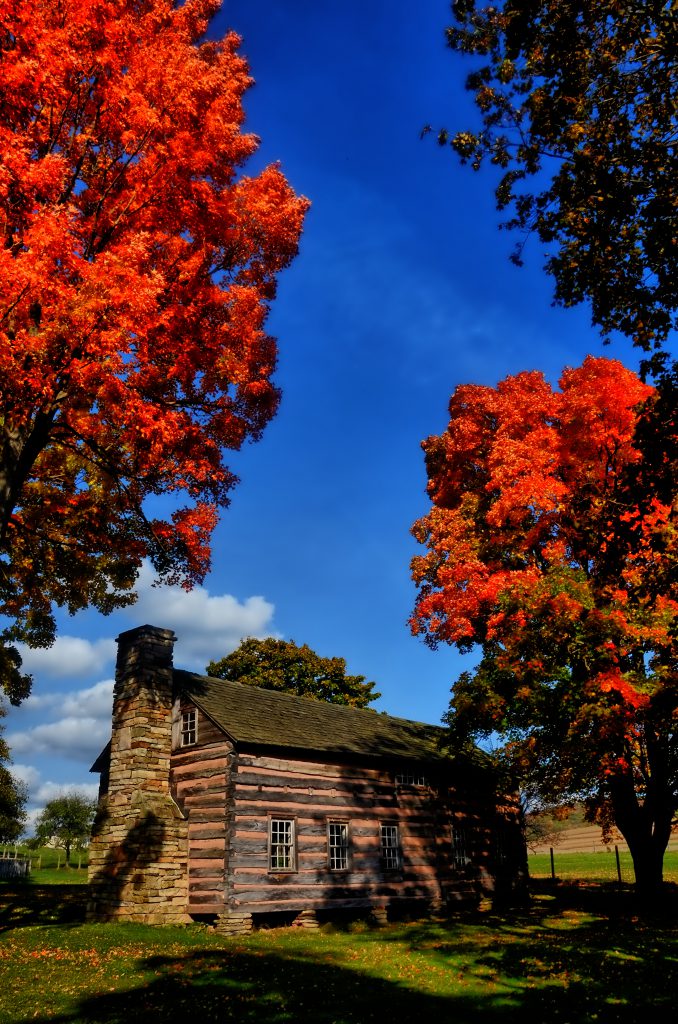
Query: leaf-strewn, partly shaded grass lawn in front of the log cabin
[[577, 954]]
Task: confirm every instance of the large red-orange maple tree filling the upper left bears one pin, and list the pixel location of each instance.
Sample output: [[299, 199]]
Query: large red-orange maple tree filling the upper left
[[137, 271]]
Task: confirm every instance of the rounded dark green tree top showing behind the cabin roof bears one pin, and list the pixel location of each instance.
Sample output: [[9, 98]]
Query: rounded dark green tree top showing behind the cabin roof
[[282, 665]]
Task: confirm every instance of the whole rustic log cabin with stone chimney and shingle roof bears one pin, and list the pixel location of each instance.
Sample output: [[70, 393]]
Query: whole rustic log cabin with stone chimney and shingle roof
[[224, 802]]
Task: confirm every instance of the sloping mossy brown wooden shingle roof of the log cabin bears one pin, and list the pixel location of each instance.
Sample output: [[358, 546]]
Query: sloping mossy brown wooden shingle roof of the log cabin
[[255, 717]]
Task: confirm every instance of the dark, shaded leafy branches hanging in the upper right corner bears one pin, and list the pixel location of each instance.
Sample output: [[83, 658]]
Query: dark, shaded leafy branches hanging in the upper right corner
[[578, 111]]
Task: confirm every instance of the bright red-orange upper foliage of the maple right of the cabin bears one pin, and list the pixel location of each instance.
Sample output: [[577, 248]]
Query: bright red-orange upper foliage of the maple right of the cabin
[[526, 489]]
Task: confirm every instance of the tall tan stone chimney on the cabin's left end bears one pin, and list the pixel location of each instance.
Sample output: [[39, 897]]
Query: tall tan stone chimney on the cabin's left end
[[139, 855]]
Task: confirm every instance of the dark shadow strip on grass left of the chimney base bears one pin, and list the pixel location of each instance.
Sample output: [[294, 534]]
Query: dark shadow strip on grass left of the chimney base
[[25, 904]]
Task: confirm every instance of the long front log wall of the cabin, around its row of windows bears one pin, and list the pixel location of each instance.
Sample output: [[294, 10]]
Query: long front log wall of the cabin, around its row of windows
[[313, 795]]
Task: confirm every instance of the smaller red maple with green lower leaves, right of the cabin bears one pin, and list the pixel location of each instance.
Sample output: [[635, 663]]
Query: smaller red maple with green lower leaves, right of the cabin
[[553, 546]]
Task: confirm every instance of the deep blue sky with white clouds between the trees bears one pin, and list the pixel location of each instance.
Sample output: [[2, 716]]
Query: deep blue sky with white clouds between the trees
[[402, 291]]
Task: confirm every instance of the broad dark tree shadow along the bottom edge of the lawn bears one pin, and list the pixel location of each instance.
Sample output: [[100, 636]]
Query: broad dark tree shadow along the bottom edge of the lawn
[[222, 987]]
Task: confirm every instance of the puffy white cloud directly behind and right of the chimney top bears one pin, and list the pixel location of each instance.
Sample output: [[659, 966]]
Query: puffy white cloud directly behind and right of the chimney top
[[207, 626]]
